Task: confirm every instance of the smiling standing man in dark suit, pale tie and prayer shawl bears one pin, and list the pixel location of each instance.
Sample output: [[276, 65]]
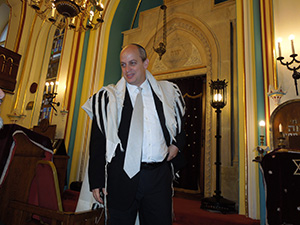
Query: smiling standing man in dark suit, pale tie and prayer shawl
[[149, 190]]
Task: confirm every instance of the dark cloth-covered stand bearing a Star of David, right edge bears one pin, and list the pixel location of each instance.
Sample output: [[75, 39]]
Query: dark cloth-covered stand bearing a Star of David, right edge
[[281, 170]]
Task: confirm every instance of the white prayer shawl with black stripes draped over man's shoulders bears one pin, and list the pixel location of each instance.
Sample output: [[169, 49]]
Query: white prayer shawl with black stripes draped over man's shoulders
[[167, 92]]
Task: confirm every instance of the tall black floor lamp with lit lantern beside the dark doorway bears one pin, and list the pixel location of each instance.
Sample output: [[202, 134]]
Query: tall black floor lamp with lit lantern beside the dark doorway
[[218, 95]]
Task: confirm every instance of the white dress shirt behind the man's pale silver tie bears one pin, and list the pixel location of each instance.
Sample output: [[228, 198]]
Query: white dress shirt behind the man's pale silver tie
[[154, 144]]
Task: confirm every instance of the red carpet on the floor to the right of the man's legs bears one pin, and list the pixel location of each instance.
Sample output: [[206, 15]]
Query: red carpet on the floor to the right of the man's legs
[[188, 212]]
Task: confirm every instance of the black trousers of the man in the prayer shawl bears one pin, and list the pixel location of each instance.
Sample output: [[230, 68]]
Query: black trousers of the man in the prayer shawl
[[153, 199]]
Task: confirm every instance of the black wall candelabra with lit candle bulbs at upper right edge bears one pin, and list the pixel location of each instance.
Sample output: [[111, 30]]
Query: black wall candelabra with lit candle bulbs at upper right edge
[[296, 75]]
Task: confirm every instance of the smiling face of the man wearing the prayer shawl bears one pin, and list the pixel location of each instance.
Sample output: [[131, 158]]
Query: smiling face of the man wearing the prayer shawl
[[133, 68]]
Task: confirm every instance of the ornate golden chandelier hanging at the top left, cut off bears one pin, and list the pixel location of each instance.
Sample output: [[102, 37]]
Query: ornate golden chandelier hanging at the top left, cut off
[[78, 15]]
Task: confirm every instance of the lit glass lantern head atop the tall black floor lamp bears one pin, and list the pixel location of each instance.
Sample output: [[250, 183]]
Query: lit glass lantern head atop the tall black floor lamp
[[218, 93]]
